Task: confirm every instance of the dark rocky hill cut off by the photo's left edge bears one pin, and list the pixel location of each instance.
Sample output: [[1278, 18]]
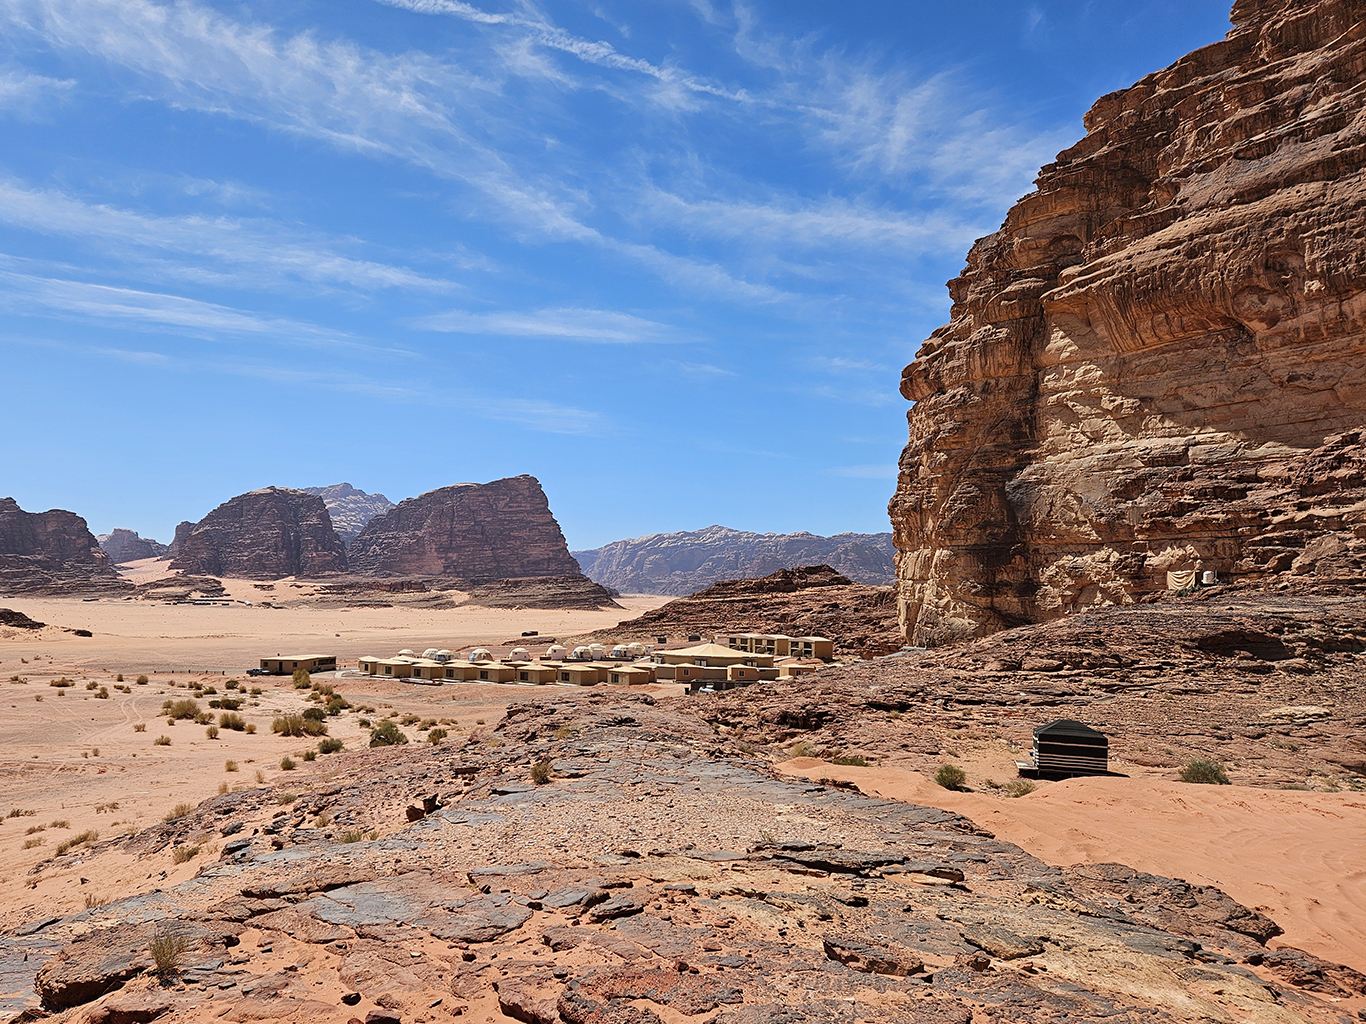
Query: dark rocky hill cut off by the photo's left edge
[[51, 554]]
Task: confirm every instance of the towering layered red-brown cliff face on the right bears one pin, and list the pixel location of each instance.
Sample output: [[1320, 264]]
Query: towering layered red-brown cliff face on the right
[[1159, 362]]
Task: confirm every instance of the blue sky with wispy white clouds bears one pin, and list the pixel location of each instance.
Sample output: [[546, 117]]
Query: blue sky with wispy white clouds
[[669, 256]]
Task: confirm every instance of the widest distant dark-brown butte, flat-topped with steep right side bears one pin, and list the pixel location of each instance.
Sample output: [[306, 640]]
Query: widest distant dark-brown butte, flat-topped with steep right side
[[473, 532]]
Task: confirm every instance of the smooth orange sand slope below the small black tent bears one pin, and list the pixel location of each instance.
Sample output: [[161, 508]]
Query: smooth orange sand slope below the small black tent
[[1298, 857]]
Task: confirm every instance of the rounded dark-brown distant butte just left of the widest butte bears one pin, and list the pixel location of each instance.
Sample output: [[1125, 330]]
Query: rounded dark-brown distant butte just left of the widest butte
[[264, 535]]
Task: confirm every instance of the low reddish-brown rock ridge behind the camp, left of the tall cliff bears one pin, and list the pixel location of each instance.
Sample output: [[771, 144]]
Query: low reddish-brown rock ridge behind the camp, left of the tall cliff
[[808, 601]]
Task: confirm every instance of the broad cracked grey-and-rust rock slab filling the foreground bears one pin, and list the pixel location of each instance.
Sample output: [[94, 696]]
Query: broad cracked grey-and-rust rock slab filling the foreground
[[453, 911]]
